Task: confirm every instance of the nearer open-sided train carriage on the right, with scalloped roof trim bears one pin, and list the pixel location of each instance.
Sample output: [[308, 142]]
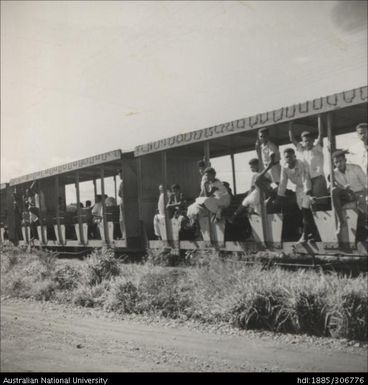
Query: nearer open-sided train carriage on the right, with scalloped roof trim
[[174, 160]]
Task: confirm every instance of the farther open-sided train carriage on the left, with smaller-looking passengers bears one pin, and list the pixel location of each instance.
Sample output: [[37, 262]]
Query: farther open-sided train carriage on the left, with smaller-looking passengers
[[73, 226]]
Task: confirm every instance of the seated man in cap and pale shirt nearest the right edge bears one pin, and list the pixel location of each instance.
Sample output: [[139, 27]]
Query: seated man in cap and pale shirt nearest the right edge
[[350, 186]]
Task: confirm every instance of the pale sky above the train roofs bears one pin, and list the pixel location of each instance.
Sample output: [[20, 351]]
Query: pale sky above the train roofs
[[83, 78]]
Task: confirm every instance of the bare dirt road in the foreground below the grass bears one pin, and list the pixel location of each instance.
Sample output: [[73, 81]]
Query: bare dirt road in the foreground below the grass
[[47, 337]]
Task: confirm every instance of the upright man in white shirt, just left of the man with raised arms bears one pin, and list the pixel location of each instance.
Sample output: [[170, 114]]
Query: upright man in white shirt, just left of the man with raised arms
[[268, 152]]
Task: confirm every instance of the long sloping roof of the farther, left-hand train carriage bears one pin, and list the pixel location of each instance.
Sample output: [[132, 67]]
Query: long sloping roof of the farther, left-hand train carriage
[[89, 168]]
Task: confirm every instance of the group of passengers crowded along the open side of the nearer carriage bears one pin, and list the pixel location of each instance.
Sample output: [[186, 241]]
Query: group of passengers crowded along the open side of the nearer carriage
[[301, 165]]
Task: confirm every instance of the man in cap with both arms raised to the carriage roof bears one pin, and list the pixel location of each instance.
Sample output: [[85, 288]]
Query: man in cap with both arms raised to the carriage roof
[[311, 153]]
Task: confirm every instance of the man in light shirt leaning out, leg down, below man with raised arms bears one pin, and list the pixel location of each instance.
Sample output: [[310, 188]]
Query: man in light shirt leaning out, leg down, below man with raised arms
[[296, 171]]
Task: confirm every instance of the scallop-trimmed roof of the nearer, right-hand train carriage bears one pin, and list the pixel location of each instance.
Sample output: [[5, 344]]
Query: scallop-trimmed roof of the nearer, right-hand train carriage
[[240, 135]]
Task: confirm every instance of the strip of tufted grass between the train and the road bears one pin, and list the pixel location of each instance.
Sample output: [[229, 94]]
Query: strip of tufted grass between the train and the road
[[212, 290]]
